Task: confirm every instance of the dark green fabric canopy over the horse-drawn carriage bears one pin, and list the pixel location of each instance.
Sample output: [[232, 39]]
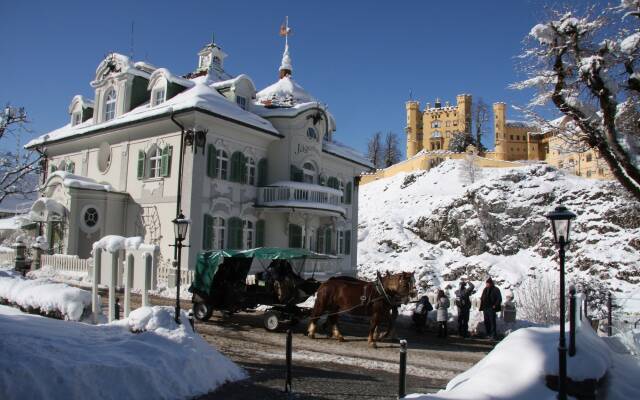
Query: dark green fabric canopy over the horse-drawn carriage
[[208, 262]]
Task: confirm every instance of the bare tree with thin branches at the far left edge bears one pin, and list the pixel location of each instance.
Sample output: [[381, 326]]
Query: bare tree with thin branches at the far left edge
[[18, 168]]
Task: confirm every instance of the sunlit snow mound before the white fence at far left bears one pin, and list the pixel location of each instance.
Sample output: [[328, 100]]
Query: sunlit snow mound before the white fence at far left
[[44, 295]]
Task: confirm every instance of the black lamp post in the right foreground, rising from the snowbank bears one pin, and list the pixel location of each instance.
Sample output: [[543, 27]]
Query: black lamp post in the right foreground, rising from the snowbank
[[560, 219]]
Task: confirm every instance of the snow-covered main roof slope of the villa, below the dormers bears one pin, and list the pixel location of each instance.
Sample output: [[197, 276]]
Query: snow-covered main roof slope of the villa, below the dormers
[[200, 96]]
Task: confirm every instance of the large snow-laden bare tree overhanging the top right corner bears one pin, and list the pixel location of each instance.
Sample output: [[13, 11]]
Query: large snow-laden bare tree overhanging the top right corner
[[586, 65]]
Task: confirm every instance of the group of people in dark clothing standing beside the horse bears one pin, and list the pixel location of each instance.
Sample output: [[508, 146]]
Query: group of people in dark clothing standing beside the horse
[[490, 305]]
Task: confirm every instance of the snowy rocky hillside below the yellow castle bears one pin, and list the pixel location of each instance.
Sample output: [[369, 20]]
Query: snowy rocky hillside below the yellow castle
[[436, 225]]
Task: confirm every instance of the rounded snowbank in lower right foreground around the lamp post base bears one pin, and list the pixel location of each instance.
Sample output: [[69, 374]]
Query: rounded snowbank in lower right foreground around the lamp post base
[[516, 368]]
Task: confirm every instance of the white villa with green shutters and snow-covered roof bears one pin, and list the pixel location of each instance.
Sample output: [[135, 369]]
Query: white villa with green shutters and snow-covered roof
[[259, 168]]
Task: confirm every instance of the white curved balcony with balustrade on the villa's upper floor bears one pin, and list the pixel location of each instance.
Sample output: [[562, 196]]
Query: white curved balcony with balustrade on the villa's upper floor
[[301, 195]]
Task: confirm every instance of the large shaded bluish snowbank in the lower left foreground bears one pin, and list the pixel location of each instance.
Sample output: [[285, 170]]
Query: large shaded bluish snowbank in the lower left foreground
[[76, 360]]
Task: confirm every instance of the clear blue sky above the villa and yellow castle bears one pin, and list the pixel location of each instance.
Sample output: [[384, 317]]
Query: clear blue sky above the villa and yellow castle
[[360, 57]]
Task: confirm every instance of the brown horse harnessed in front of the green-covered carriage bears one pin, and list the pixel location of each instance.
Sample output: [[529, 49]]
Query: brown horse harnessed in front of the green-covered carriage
[[376, 299]]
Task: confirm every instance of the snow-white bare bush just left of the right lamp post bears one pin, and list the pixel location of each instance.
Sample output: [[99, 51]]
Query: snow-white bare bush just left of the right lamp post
[[538, 300]]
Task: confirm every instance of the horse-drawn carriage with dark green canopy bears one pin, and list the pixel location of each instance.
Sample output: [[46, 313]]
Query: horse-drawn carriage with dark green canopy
[[231, 281]]
